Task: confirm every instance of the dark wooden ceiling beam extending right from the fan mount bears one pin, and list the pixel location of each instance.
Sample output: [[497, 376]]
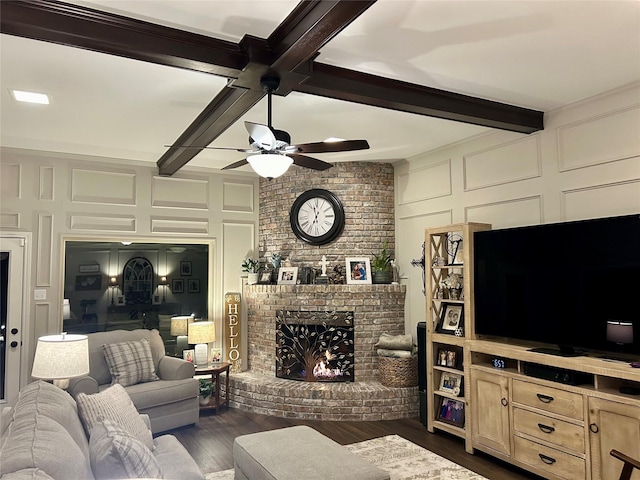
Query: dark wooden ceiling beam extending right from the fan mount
[[349, 85]]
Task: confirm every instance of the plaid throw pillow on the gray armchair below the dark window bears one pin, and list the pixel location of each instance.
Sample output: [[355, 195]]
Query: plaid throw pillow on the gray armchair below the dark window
[[130, 362]]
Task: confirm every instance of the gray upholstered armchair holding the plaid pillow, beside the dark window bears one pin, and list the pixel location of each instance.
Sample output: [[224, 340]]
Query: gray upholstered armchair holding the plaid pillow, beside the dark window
[[170, 402]]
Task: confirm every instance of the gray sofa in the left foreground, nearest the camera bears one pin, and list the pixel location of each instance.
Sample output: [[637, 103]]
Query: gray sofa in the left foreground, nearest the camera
[[44, 438]]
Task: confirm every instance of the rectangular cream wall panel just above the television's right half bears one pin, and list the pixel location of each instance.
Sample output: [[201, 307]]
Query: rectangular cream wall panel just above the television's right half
[[601, 201]]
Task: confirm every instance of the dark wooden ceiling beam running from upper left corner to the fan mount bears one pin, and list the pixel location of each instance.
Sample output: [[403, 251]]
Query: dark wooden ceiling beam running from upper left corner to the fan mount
[[82, 27]]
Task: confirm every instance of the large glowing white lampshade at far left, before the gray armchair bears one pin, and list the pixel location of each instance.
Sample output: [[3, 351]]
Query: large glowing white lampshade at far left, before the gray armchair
[[61, 356]]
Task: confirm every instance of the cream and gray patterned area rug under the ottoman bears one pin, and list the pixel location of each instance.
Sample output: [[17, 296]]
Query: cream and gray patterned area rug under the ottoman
[[401, 458]]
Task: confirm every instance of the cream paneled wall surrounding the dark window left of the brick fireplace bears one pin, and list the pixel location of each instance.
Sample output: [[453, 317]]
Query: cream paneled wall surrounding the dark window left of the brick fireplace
[[57, 198]]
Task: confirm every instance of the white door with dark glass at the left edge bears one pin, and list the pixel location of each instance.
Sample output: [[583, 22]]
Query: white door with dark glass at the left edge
[[13, 302]]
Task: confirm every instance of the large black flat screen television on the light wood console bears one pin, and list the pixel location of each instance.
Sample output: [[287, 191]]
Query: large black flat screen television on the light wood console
[[559, 284]]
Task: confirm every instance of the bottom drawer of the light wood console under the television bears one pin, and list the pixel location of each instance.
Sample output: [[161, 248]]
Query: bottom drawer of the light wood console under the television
[[557, 463]]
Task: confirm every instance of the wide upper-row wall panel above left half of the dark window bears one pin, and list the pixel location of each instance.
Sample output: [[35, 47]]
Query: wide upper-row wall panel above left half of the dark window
[[99, 186]]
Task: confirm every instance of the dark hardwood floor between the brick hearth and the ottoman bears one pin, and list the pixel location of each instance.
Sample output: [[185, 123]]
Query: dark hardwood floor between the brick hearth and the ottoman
[[211, 441]]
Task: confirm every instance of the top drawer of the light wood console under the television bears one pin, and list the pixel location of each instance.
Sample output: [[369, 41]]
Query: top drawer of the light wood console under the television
[[550, 399]]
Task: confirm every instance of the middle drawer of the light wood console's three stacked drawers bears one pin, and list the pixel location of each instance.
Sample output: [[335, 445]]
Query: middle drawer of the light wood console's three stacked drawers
[[549, 429]]
